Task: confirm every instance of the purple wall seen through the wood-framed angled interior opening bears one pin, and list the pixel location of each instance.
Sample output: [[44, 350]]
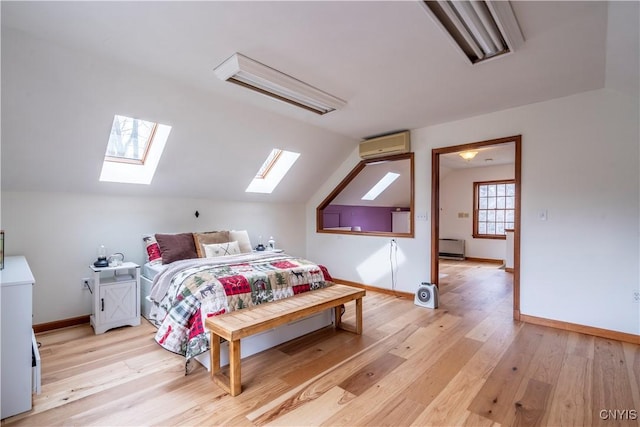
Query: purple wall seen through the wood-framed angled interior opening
[[369, 218]]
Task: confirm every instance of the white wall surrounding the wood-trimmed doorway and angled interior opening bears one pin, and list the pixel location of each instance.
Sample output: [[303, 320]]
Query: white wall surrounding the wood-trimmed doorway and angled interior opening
[[580, 162]]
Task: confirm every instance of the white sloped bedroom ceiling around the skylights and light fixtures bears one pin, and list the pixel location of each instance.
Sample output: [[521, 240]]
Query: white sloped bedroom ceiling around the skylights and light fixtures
[[68, 67]]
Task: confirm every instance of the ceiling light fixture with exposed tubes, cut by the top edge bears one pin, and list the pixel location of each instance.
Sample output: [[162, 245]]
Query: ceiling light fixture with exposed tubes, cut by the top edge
[[479, 29]]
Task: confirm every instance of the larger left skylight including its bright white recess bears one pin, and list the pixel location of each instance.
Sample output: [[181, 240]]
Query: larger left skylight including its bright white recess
[[133, 150]]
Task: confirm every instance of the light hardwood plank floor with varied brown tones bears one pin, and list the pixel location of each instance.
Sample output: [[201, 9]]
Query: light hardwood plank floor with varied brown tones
[[466, 363]]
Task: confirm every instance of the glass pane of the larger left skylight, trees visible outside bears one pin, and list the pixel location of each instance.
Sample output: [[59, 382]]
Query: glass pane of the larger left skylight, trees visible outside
[[130, 139]]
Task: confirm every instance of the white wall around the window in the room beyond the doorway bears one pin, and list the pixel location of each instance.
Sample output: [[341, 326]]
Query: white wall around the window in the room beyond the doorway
[[456, 195]]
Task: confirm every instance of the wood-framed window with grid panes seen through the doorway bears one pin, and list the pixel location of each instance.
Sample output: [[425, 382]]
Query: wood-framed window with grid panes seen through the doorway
[[494, 208]]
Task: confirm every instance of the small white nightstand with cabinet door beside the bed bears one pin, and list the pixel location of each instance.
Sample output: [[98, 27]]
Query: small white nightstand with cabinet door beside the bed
[[116, 296]]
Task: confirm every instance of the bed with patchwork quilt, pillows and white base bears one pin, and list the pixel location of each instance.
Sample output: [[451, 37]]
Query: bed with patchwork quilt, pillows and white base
[[177, 296]]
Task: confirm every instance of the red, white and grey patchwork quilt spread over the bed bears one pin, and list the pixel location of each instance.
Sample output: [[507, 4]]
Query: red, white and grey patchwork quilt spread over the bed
[[185, 294]]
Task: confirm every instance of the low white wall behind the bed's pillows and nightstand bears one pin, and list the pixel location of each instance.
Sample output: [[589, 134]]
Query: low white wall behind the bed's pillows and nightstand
[[59, 234]]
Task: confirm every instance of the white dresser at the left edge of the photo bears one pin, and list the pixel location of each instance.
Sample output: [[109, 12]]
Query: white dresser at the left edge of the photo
[[17, 343]]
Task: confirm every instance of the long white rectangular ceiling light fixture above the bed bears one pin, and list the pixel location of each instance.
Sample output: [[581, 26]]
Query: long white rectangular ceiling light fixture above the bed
[[251, 74]]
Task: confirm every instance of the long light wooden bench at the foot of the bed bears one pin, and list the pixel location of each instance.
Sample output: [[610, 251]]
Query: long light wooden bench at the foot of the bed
[[243, 323]]
